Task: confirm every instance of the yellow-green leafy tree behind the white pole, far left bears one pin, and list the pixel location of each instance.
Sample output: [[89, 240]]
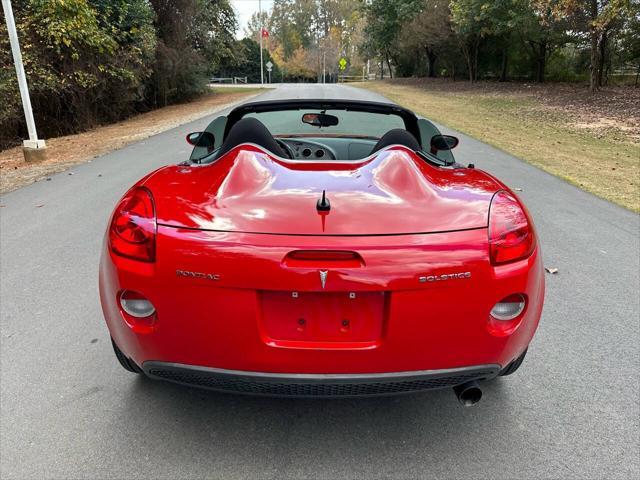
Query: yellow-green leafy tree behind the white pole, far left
[[77, 55]]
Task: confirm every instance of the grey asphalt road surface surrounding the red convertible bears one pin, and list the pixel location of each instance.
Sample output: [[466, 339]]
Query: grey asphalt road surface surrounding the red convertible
[[68, 410]]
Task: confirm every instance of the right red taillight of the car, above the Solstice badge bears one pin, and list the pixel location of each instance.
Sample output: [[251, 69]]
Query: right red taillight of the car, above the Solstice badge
[[511, 237]]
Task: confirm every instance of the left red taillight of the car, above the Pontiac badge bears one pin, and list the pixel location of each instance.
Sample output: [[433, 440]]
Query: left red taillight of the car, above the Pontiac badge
[[132, 232]]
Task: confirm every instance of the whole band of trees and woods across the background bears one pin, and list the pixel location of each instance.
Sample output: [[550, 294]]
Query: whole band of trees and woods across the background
[[91, 62]]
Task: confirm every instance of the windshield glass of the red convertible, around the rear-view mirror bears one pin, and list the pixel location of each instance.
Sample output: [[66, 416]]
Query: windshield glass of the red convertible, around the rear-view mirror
[[353, 124]]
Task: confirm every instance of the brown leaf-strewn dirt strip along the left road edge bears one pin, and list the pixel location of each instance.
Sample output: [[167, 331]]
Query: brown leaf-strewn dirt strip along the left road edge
[[64, 152]]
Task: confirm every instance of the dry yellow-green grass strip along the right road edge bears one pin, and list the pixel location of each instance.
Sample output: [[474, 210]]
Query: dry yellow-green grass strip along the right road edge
[[605, 164]]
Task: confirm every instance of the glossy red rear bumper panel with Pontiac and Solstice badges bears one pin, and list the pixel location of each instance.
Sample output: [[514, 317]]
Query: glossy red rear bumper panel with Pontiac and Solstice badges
[[232, 323]]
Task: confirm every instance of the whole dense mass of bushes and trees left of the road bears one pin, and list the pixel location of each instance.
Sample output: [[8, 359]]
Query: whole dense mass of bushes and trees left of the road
[[90, 62]]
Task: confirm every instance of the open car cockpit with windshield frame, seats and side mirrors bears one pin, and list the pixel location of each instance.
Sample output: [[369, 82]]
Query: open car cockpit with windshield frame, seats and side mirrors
[[321, 134]]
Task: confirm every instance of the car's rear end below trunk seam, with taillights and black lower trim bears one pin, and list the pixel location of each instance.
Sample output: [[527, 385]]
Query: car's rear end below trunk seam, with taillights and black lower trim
[[323, 315]]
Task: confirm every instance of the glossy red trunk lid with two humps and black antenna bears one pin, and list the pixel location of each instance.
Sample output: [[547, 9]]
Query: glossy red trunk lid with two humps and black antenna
[[393, 192]]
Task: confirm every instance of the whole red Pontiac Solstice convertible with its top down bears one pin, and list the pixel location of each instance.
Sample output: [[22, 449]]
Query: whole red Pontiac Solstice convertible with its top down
[[322, 248]]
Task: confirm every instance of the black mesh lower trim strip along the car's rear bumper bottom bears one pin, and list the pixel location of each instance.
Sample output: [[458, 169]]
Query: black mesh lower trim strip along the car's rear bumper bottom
[[316, 385]]
